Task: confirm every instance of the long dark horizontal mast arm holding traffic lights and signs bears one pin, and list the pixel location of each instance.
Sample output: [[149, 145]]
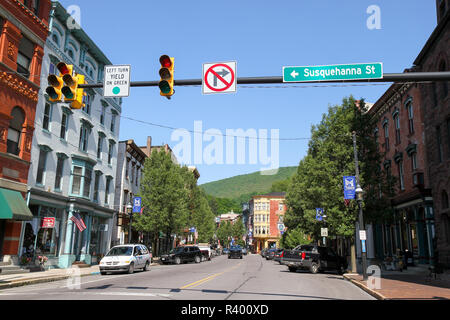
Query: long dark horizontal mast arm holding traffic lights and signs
[[387, 77]]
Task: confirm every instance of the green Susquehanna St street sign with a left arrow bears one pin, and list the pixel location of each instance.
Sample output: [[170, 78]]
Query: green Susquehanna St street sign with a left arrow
[[359, 71]]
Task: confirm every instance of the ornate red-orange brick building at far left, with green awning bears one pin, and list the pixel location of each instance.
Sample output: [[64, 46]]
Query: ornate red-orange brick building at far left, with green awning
[[24, 27]]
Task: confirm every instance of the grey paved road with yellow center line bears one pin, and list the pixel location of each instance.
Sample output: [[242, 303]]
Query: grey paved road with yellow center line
[[250, 278]]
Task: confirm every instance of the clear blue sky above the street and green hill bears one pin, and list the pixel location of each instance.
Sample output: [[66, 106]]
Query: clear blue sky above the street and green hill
[[262, 37]]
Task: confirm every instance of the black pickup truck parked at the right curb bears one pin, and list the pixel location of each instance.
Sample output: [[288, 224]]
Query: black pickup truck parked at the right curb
[[313, 257]]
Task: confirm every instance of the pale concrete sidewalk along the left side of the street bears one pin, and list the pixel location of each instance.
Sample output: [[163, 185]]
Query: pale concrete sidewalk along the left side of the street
[[22, 279]]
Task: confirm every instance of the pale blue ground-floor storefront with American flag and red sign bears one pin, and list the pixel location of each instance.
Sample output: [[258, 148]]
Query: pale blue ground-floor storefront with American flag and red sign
[[53, 232]]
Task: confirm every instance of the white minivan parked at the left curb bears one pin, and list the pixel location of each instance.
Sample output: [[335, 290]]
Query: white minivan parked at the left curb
[[126, 258]]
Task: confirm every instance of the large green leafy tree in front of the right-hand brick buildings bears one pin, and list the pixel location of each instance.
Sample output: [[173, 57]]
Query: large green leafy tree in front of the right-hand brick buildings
[[318, 182]]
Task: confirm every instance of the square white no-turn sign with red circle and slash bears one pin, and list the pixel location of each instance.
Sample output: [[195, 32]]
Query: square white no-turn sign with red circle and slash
[[219, 77]]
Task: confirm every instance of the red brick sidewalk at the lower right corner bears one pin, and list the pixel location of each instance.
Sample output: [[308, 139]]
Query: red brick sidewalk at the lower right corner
[[410, 284]]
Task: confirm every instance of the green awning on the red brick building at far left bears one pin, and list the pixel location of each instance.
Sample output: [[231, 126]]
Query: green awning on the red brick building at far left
[[13, 206]]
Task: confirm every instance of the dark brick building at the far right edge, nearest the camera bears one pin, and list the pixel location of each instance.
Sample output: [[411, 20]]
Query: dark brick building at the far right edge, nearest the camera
[[435, 56]]
